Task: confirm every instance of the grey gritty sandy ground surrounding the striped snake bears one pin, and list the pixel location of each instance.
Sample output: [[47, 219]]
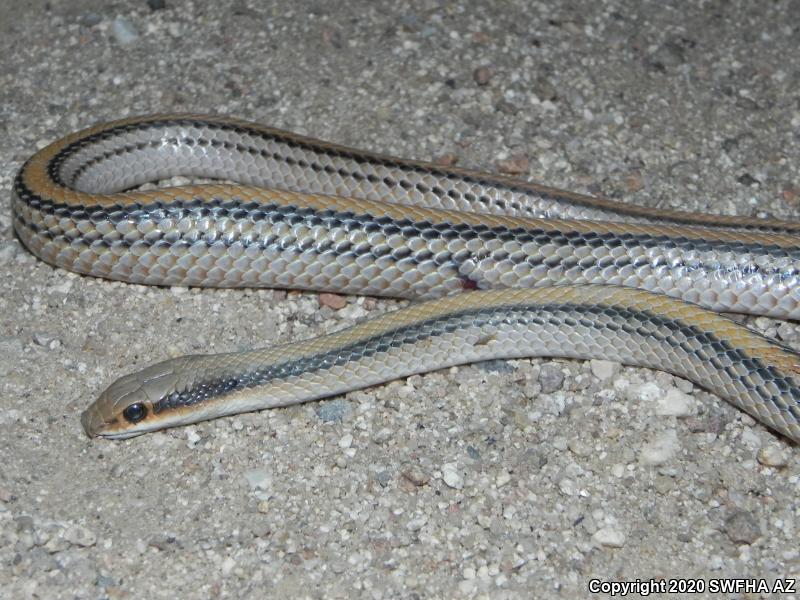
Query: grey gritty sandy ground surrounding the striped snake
[[507, 480]]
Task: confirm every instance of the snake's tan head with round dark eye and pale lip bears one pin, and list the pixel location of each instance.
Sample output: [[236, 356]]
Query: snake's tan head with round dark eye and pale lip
[[130, 405]]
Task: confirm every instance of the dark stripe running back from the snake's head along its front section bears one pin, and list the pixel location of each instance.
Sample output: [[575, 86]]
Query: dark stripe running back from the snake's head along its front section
[[635, 322]]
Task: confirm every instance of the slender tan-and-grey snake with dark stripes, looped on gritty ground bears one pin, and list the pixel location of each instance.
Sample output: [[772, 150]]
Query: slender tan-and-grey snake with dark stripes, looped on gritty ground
[[495, 266]]
